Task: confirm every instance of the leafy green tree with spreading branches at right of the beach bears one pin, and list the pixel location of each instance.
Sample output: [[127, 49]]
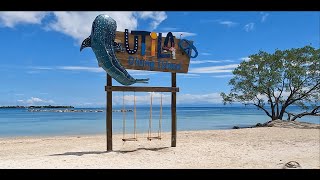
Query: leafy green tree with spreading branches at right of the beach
[[273, 82]]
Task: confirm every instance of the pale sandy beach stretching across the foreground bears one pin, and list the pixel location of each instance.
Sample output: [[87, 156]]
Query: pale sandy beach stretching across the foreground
[[267, 147]]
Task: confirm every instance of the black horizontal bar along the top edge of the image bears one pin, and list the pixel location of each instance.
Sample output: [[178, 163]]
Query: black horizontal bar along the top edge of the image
[[155, 5]]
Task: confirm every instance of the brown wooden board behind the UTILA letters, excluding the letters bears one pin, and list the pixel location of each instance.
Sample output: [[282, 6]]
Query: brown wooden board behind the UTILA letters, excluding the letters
[[150, 60]]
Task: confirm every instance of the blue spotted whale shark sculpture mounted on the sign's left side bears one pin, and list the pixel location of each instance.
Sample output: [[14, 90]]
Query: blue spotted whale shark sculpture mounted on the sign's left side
[[101, 41]]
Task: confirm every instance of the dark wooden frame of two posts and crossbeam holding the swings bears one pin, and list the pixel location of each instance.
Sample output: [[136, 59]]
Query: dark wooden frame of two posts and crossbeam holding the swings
[[173, 89]]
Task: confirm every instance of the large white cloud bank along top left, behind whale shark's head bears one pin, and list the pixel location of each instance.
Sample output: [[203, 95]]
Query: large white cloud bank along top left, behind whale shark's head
[[78, 24]]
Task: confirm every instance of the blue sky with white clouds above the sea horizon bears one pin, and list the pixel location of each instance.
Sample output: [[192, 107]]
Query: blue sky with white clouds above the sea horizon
[[41, 63]]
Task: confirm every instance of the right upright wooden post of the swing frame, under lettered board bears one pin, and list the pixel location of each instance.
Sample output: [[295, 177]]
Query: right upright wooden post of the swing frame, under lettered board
[[173, 112]]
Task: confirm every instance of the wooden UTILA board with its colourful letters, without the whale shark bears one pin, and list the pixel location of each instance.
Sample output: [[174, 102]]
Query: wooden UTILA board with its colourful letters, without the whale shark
[[143, 50]]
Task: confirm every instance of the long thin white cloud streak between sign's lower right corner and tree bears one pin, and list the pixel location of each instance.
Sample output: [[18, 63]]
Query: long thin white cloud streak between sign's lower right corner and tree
[[214, 69]]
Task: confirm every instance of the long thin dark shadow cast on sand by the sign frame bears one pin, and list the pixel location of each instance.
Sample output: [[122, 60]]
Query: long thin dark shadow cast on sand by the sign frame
[[103, 152]]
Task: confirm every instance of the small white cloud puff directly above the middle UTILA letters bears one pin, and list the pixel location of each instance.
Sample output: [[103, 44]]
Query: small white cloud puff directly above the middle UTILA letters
[[157, 17]]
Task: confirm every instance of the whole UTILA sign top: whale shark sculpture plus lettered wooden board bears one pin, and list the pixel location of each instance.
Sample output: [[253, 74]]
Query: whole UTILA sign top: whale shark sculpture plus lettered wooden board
[[140, 50]]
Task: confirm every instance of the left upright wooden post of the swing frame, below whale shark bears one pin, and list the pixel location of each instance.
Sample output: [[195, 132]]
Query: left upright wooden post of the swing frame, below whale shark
[[109, 115]]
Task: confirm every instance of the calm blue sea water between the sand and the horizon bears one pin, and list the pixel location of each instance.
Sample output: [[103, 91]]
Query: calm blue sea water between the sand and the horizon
[[20, 122]]
